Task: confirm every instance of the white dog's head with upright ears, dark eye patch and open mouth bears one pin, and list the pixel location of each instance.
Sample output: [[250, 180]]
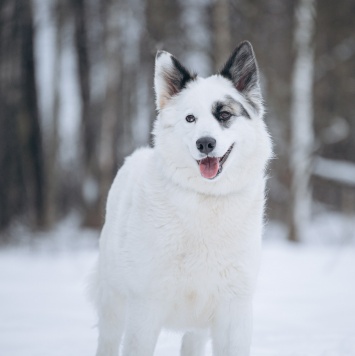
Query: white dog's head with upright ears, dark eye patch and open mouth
[[209, 133]]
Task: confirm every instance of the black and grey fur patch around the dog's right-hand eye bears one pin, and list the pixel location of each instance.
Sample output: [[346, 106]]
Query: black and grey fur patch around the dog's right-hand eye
[[231, 106]]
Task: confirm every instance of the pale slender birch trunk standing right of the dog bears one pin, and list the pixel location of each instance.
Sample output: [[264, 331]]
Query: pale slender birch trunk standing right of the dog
[[302, 135]]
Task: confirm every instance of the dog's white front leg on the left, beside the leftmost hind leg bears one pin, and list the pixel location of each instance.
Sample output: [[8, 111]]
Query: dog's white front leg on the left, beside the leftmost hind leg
[[143, 325]]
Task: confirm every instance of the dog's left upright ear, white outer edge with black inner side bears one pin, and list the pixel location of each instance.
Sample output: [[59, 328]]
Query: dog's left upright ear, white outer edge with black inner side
[[170, 77]]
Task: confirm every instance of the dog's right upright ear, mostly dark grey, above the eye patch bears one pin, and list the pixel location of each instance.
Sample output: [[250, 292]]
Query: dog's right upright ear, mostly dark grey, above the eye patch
[[242, 69]]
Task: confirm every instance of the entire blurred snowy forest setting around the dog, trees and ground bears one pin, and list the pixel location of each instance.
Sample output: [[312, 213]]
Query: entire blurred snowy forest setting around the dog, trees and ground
[[76, 97]]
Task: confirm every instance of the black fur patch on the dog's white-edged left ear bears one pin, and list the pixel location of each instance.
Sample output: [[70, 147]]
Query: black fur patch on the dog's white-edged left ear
[[177, 78]]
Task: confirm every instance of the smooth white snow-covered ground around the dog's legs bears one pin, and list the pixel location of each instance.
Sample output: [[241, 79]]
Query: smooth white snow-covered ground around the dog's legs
[[304, 306]]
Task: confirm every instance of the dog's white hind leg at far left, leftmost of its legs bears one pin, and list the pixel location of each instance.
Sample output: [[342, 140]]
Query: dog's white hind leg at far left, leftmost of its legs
[[111, 326]]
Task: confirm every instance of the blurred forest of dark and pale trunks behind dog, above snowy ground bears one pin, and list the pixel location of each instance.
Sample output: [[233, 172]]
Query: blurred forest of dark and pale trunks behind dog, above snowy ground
[[76, 97]]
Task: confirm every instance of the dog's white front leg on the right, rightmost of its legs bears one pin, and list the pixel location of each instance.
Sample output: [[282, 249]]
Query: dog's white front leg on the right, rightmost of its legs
[[232, 328]]
